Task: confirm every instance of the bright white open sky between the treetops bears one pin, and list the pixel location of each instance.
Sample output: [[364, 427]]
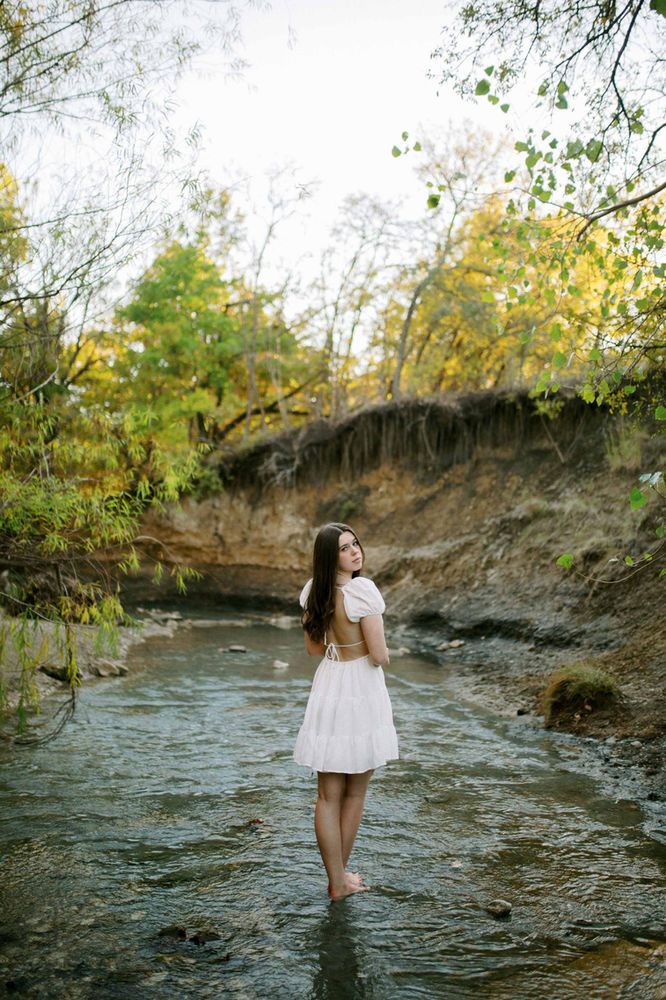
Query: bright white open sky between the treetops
[[333, 99]]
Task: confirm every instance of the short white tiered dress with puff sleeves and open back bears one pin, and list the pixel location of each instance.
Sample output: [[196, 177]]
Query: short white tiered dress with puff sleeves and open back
[[348, 725]]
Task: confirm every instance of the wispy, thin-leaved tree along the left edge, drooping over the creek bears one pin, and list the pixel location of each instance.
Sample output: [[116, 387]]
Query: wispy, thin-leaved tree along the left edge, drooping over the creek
[[77, 474]]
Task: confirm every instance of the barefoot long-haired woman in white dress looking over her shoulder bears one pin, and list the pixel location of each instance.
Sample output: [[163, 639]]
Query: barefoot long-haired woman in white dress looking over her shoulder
[[348, 726]]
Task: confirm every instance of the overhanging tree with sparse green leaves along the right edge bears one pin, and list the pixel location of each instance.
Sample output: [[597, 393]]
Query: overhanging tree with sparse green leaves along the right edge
[[587, 203]]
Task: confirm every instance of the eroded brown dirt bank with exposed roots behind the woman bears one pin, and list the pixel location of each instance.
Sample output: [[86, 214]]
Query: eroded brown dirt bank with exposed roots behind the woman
[[463, 509]]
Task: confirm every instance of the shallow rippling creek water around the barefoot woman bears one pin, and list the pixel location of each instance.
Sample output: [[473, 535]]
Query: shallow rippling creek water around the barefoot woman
[[163, 848]]
